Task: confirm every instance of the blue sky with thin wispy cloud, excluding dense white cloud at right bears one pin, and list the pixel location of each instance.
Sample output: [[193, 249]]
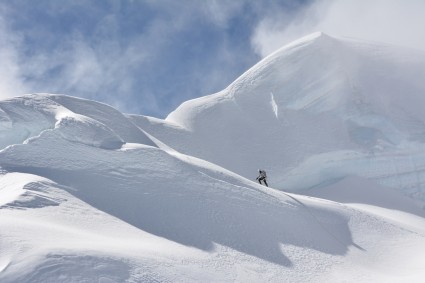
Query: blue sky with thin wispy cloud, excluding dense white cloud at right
[[140, 56]]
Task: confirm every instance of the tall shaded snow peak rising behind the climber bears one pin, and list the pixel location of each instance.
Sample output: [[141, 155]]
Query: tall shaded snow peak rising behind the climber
[[313, 99]]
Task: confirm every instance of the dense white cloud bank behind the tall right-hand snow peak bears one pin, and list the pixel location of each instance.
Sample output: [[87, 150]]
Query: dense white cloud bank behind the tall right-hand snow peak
[[392, 21]]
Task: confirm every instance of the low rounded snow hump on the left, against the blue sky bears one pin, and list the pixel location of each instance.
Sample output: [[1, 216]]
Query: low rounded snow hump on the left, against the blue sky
[[77, 120]]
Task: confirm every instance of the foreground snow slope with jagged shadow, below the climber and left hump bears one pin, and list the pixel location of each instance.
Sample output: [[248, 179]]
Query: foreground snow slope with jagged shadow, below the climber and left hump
[[142, 214]]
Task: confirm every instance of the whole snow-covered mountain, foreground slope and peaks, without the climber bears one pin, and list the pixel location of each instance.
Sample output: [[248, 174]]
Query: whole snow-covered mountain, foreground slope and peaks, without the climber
[[88, 194]]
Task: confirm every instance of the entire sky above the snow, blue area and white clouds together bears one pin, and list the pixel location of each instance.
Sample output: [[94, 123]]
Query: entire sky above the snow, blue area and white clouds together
[[147, 57]]
